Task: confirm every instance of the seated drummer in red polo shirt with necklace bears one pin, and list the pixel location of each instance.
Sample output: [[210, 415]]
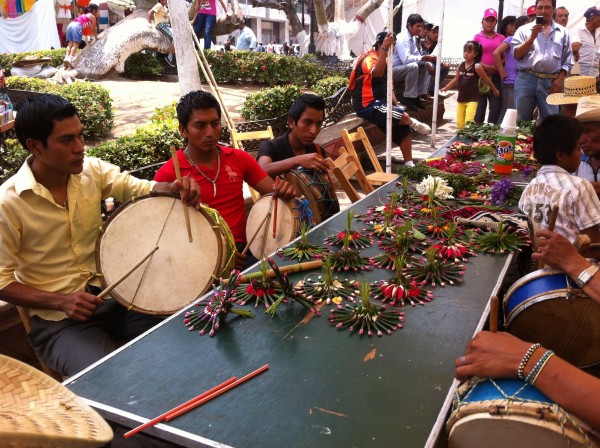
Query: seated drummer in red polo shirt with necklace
[[219, 170]]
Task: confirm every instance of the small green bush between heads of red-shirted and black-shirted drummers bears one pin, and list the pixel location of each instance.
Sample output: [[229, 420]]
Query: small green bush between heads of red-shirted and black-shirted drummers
[[269, 103]]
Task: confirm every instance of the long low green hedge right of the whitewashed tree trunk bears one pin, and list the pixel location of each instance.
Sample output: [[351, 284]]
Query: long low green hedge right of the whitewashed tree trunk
[[263, 68]]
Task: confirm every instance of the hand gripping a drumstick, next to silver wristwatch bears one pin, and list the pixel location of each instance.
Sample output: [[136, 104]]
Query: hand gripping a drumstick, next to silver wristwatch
[[558, 252]]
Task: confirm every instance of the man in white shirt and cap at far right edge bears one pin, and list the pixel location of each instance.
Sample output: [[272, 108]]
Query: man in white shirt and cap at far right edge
[[588, 46]]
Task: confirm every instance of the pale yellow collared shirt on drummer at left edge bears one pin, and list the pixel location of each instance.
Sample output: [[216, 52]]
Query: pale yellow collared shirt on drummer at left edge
[[50, 247]]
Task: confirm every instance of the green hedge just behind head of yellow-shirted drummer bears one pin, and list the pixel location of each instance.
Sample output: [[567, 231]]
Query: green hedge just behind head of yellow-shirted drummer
[[91, 100]]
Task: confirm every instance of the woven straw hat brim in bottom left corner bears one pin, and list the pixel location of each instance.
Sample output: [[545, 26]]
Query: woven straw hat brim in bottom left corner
[[36, 410]]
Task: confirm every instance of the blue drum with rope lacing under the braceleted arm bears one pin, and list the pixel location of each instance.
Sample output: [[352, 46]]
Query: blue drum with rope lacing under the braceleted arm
[[484, 417]]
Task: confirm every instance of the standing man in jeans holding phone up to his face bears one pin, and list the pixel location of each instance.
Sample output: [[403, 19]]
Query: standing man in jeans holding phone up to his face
[[544, 57]]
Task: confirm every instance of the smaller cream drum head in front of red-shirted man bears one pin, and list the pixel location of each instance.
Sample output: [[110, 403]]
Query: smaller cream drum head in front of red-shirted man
[[286, 229]]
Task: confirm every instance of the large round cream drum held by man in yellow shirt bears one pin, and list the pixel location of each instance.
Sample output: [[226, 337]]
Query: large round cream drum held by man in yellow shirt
[[177, 273]]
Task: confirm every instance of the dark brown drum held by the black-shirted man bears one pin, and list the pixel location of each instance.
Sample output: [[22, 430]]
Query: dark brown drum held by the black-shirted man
[[315, 187]]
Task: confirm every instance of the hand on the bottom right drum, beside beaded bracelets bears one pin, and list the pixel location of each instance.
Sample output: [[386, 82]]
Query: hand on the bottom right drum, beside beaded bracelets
[[491, 355]]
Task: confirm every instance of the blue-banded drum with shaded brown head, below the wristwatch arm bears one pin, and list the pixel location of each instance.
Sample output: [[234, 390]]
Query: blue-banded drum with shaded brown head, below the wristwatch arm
[[537, 309]]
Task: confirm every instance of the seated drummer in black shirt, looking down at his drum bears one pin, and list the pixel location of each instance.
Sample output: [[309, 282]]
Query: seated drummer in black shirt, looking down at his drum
[[296, 147]]
